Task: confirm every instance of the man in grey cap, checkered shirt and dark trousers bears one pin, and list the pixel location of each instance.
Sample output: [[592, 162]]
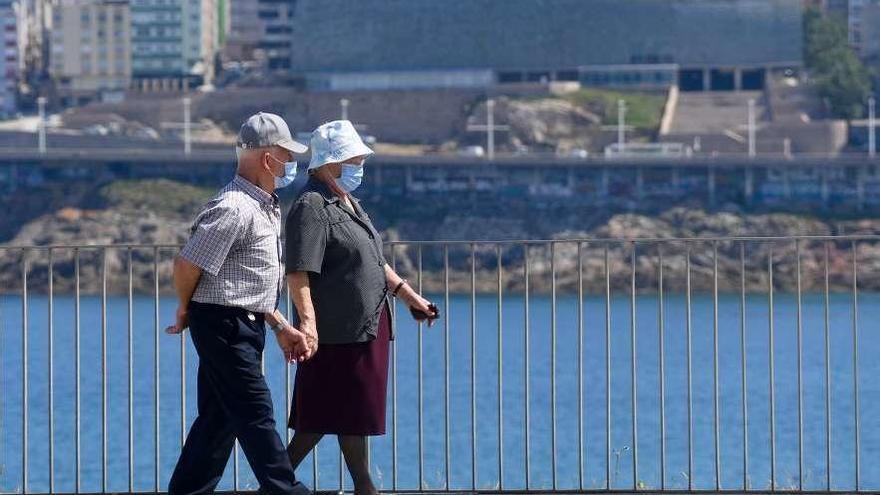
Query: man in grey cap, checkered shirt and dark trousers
[[228, 279]]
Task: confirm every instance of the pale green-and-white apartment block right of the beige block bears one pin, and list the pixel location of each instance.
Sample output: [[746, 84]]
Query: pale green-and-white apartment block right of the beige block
[[174, 43]]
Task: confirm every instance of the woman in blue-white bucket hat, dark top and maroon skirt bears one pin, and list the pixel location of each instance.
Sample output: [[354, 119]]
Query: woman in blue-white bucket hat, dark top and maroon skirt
[[340, 284]]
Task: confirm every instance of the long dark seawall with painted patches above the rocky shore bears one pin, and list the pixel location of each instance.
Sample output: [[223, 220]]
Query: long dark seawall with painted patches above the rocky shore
[[842, 185]]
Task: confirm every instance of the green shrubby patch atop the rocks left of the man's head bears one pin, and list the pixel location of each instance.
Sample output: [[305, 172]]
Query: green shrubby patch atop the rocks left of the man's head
[[160, 196]]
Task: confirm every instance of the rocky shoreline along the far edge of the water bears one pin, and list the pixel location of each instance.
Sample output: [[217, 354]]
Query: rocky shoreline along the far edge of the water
[[103, 227]]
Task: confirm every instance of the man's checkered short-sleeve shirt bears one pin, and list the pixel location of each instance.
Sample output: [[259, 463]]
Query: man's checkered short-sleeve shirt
[[236, 241]]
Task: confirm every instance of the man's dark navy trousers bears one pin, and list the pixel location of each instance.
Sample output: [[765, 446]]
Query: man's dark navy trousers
[[233, 402]]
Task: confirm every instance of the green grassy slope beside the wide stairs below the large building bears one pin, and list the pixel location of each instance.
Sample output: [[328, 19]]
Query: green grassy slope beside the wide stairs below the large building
[[644, 110]]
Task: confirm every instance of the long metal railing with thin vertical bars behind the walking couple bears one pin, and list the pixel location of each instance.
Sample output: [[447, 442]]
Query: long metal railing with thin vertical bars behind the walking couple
[[620, 312]]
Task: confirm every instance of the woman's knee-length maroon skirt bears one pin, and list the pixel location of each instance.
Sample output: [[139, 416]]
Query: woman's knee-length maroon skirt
[[342, 389]]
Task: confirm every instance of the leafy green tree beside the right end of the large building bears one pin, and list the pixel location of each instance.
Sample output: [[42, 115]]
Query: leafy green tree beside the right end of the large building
[[840, 75]]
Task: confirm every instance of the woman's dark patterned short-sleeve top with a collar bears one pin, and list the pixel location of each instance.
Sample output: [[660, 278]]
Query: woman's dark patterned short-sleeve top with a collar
[[342, 253]]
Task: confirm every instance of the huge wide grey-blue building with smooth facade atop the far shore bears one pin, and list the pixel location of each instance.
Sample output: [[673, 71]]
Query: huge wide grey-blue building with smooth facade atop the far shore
[[468, 43]]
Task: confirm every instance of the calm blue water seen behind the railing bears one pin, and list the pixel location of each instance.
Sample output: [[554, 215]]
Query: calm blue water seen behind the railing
[[571, 470]]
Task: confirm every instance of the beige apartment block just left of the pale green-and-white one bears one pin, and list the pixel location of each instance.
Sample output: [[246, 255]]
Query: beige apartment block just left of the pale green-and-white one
[[90, 49]]
